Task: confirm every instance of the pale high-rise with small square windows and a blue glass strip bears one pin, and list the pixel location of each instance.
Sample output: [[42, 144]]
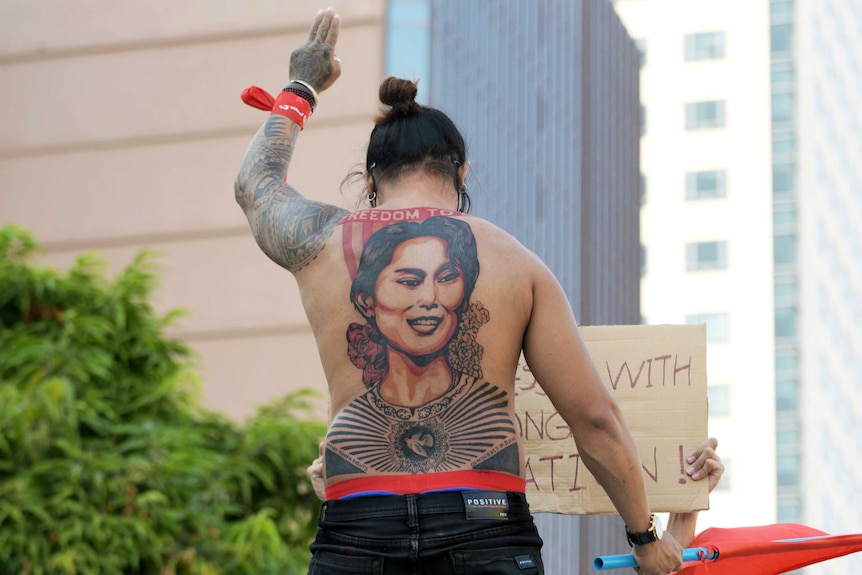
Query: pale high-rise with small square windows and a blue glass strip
[[750, 160]]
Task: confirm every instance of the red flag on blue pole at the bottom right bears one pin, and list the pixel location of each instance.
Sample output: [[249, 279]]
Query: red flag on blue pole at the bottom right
[[768, 549]]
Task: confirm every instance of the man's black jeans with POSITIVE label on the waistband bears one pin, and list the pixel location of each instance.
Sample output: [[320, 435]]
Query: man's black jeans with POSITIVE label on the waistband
[[453, 533]]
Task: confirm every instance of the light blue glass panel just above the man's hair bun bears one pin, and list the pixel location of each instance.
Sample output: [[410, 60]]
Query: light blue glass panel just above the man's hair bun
[[408, 42]]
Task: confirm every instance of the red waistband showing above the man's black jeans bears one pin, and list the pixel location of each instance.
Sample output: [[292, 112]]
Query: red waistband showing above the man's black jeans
[[404, 484]]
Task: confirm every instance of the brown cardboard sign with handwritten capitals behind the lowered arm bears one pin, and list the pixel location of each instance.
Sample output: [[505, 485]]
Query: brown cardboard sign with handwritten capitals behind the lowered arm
[[657, 374]]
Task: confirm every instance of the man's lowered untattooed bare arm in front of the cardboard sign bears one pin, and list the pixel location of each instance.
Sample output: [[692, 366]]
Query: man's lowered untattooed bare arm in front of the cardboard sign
[[558, 358]]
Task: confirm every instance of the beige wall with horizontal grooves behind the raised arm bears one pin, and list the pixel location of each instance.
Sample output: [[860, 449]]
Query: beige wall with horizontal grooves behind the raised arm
[[121, 128]]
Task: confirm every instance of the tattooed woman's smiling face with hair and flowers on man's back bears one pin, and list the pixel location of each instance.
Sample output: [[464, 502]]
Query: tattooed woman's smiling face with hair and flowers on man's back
[[413, 286]]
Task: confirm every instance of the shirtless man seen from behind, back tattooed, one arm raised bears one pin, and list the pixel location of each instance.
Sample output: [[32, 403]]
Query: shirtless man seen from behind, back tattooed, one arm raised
[[420, 312]]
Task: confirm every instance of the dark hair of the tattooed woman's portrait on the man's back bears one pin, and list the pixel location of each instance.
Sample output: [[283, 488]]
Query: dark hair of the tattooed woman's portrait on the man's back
[[380, 247]]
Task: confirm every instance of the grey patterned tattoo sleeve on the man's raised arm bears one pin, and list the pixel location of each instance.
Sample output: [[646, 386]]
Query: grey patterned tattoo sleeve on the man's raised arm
[[290, 229]]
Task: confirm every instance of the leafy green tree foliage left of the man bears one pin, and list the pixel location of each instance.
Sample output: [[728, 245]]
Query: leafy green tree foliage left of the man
[[107, 464]]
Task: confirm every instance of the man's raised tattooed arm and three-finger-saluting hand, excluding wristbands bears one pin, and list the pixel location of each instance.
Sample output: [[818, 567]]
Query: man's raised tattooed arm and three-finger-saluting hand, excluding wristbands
[[290, 229]]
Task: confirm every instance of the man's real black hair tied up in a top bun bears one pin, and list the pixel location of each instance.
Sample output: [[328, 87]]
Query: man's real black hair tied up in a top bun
[[409, 136]]
